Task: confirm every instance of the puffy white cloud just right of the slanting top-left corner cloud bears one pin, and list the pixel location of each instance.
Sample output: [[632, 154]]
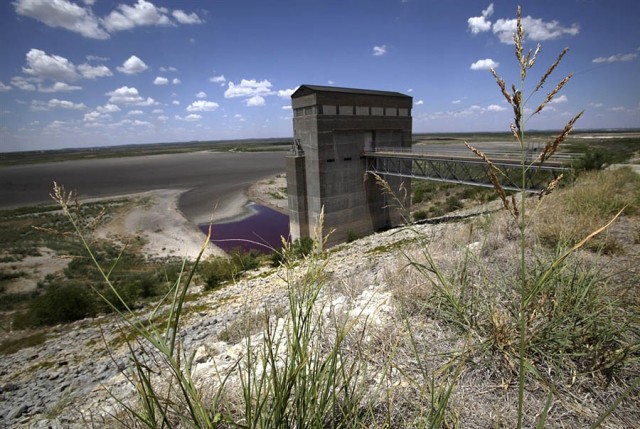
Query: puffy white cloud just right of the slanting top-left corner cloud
[[142, 13]]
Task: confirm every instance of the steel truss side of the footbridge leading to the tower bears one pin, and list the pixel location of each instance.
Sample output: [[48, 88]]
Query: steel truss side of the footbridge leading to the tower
[[462, 170]]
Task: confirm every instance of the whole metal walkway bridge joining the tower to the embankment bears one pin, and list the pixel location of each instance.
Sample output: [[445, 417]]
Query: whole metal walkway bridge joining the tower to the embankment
[[464, 167]]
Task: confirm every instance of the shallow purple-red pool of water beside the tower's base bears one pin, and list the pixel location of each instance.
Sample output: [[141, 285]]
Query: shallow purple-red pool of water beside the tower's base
[[261, 230]]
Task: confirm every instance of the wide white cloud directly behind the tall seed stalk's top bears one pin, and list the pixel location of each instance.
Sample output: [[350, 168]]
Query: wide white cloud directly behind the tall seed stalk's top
[[535, 29]]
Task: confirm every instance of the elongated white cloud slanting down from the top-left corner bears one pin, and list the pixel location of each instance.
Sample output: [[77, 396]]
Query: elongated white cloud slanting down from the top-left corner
[[62, 14]]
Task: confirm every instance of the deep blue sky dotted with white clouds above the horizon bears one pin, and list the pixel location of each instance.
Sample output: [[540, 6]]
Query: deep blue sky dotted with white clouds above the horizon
[[82, 73]]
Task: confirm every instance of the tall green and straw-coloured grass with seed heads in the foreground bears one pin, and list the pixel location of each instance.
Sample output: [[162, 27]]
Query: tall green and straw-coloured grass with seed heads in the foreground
[[535, 319]]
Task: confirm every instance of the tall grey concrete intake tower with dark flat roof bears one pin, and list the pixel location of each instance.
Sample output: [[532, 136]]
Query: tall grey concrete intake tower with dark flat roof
[[333, 128]]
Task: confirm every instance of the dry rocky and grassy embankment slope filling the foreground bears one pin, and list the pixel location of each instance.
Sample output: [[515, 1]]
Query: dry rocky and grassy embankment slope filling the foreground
[[425, 320]]
